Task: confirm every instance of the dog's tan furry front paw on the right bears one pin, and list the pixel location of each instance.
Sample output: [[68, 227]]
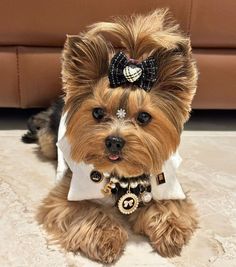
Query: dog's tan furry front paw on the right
[[169, 225]]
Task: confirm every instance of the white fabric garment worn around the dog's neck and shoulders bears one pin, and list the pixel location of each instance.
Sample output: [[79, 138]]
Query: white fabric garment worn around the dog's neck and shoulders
[[82, 187]]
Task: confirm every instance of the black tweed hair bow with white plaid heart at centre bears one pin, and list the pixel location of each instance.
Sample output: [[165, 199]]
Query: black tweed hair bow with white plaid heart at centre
[[124, 71]]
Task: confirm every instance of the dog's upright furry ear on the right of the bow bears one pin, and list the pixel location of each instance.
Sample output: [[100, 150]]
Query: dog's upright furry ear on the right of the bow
[[176, 79]]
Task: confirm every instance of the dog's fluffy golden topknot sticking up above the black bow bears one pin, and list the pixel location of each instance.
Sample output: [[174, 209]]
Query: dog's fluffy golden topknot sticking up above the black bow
[[141, 34]]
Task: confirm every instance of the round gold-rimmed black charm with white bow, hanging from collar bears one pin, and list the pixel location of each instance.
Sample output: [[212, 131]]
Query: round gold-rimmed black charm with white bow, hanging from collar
[[128, 203]]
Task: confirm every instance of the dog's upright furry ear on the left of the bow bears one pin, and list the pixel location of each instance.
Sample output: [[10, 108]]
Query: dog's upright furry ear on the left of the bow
[[84, 61]]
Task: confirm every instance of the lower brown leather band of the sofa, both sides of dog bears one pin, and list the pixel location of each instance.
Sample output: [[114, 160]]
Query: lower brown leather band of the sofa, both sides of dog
[[30, 77]]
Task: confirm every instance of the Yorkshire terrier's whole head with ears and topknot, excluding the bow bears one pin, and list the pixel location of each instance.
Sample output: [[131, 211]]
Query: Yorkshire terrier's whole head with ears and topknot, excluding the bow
[[149, 131]]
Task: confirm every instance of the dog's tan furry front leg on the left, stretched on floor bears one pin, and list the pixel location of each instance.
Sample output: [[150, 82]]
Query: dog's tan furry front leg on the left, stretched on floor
[[81, 226]]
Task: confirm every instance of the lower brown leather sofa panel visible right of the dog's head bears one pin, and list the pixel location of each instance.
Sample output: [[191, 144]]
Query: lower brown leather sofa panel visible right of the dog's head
[[216, 86]]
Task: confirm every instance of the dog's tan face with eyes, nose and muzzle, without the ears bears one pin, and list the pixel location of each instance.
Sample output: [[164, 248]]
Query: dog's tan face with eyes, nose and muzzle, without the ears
[[130, 146]]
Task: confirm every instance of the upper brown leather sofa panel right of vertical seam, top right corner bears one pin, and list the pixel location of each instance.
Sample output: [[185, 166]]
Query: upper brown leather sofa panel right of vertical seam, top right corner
[[213, 23]]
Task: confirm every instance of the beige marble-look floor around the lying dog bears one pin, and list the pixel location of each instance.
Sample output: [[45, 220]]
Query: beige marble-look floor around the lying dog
[[208, 172]]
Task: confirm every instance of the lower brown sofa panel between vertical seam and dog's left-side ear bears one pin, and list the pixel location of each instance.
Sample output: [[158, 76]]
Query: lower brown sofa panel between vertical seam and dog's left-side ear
[[39, 75]]
